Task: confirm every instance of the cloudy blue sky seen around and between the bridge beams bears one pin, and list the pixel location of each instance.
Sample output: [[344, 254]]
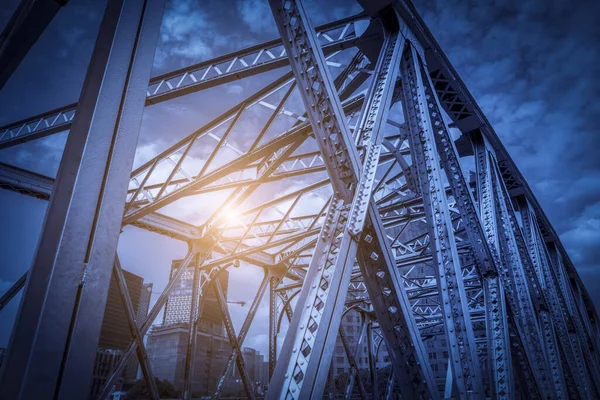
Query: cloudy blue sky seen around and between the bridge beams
[[531, 65]]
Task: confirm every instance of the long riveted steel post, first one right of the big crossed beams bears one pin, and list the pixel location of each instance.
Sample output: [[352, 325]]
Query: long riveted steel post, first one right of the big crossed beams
[[459, 330]]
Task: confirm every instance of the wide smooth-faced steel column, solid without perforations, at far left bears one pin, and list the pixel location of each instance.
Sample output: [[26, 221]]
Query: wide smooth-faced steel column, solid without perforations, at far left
[[53, 344]]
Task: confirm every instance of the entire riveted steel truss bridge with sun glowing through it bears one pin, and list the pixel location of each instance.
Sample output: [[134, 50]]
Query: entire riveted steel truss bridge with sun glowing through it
[[410, 210]]
